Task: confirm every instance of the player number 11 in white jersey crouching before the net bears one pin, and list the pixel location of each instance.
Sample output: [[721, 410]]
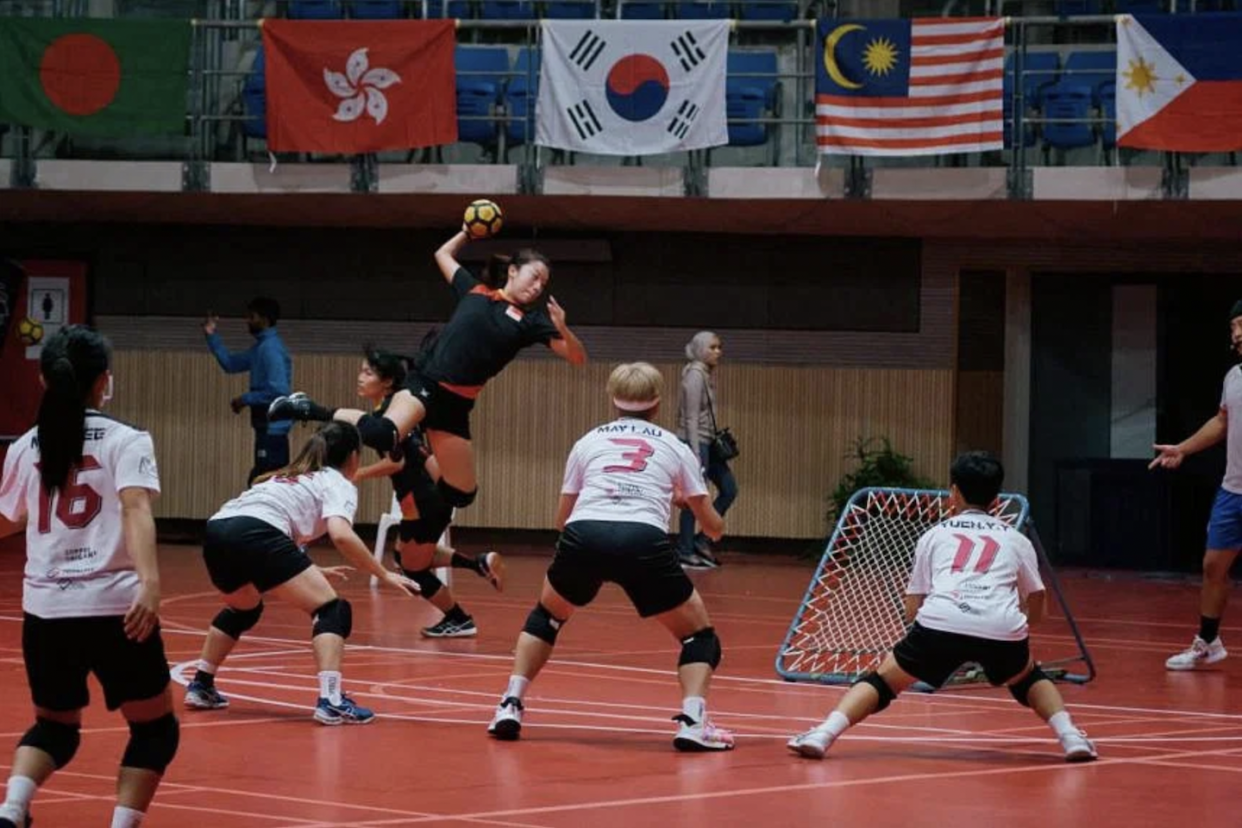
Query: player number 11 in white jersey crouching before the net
[[974, 588]]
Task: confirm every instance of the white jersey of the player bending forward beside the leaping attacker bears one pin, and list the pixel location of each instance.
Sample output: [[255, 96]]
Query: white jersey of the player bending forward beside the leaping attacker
[[297, 506]]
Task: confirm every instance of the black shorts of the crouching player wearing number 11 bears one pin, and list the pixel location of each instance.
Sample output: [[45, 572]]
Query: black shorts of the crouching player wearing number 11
[[933, 656]]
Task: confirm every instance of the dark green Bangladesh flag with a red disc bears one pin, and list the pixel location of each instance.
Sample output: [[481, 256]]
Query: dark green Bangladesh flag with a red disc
[[95, 78]]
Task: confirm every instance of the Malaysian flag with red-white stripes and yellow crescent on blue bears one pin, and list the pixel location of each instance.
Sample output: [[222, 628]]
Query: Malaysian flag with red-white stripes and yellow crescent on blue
[[910, 88]]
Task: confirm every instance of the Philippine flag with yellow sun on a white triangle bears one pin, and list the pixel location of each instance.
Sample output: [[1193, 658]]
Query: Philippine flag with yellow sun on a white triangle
[[1179, 83]]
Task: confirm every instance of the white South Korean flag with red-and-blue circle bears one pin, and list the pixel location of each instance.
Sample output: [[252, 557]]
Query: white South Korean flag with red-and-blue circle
[[633, 88]]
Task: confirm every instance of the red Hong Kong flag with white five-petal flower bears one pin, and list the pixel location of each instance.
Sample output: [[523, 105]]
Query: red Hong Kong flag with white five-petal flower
[[360, 86]]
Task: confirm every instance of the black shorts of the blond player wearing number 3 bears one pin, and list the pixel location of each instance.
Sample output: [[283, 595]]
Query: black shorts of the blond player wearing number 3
[[638, 558]]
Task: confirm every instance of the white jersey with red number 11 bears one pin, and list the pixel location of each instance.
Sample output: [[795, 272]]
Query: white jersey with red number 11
[[974, 570]]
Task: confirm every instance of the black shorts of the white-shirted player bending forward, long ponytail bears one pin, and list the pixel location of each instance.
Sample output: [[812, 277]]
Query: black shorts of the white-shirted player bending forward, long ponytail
[[247, 551]]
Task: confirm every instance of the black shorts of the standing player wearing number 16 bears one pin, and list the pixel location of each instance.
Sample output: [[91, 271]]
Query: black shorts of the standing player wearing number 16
[[61, 652]]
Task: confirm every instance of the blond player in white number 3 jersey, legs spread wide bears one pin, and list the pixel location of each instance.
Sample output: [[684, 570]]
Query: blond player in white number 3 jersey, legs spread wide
[[620, 482]]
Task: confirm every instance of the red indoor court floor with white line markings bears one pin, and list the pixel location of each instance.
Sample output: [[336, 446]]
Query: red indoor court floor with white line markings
[[597, 748]]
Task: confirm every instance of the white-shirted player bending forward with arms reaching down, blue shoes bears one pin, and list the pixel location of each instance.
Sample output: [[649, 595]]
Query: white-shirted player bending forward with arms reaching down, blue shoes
[[253, 548]]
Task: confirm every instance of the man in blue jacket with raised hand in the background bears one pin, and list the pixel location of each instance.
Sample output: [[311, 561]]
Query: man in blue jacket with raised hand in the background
[[271, 376]]
